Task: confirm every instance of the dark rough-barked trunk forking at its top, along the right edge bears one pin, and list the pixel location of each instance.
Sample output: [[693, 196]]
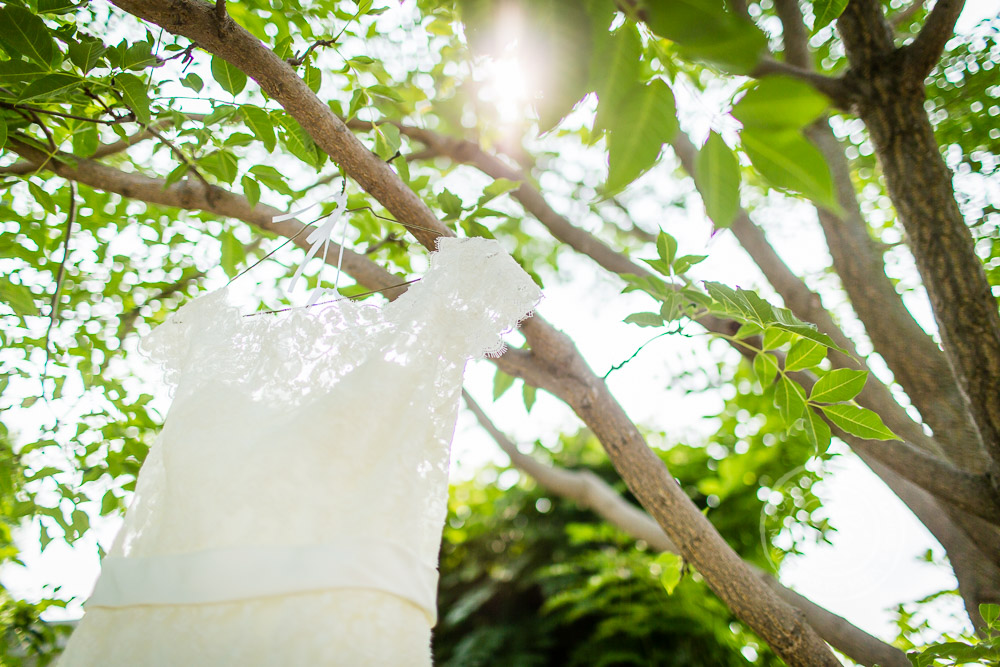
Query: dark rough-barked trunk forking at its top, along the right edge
[[890, 97]]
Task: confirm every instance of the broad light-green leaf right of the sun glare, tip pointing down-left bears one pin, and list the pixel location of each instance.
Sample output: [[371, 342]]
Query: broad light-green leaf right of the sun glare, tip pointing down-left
[[645, 120]]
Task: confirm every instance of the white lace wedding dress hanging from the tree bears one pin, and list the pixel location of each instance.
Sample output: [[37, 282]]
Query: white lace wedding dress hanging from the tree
[[291, 510]]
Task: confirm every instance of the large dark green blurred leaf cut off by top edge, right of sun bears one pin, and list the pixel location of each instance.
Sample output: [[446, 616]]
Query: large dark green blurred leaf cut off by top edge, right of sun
[[707, 32]]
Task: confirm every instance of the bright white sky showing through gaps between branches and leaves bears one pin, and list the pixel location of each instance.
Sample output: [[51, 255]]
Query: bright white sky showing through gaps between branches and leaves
[[872, 564]]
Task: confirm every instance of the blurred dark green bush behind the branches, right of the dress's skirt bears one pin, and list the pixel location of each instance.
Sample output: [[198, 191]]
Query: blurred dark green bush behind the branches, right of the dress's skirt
[[530, 579]]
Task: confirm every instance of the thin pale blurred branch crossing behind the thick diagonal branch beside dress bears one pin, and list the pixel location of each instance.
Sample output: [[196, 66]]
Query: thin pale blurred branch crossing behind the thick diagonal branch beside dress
[[593, 493]]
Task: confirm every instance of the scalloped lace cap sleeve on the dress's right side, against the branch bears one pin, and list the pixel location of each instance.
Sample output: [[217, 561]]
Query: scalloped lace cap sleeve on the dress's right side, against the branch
[[483, 291]]
